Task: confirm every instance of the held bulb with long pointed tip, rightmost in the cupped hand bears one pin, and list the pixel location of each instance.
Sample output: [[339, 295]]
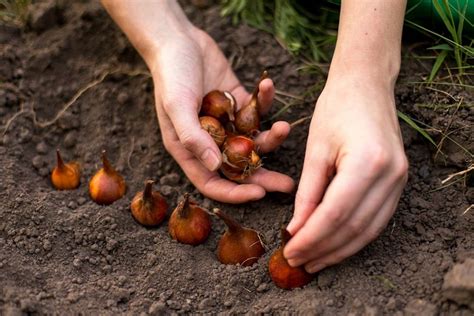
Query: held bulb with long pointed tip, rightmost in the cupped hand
[[247, 119]]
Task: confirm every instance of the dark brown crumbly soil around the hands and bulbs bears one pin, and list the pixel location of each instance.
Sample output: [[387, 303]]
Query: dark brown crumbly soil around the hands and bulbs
[[62, 253]]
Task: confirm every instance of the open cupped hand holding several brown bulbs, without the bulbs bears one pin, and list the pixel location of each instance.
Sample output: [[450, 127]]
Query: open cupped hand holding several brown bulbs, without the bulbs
[[183, 70]]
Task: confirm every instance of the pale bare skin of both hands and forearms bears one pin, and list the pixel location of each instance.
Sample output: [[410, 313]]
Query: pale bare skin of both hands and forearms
[[355, 167]]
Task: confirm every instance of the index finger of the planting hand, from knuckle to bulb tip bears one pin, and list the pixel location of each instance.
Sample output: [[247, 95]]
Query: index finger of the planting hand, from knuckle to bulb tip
[[344, 194]]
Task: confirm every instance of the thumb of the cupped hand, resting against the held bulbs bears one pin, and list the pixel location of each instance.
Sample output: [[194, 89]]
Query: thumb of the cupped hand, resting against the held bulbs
[[183, 114]]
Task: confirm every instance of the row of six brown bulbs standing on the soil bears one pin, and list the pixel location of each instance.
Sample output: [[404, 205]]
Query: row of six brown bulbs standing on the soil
[[189, 223]]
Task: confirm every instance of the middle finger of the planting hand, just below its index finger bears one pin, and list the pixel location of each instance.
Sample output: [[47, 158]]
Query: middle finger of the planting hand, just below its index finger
[[382, 193]]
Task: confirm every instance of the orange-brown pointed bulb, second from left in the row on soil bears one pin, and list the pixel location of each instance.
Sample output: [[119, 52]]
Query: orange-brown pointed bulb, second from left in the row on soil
[[107, 185]]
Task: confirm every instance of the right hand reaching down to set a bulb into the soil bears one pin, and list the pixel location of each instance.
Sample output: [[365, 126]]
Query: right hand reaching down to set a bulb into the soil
[[353, 175]]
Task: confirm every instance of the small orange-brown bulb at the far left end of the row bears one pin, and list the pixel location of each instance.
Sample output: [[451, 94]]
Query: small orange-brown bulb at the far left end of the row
[[65, 176]]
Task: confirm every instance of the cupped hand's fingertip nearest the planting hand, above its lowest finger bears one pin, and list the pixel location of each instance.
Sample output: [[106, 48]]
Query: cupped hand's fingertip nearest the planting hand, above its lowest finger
[[272, 181]]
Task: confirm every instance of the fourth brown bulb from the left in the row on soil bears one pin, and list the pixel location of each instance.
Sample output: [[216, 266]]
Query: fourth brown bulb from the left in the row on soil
[[189, 223]]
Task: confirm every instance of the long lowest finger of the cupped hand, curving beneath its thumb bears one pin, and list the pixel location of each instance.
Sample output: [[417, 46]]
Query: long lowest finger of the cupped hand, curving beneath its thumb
[[207, 182]]
